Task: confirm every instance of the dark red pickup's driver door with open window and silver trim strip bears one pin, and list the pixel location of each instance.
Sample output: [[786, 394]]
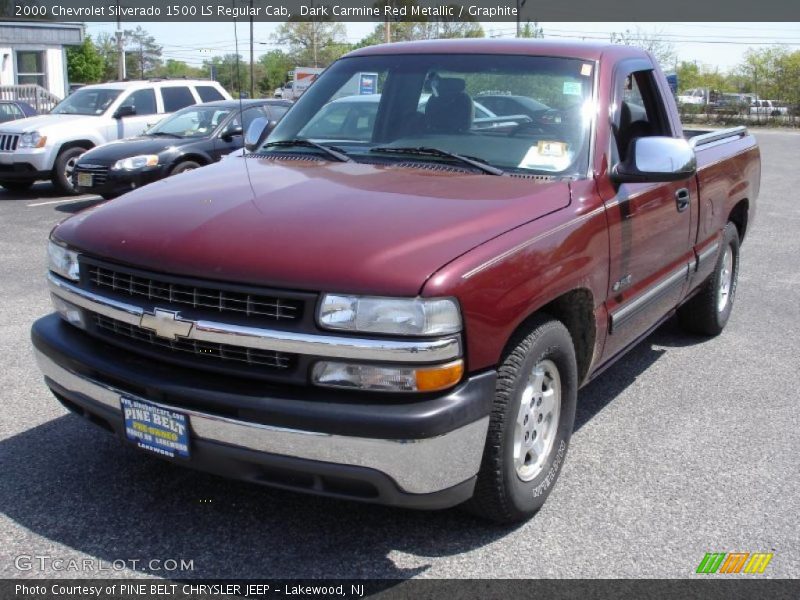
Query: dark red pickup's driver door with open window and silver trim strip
[[649, 223]]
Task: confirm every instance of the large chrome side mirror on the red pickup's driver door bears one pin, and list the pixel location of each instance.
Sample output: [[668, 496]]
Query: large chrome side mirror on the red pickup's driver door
[[656, 159]]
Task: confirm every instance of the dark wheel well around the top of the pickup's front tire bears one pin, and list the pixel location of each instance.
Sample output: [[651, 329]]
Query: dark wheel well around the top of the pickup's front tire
[[575, 310]]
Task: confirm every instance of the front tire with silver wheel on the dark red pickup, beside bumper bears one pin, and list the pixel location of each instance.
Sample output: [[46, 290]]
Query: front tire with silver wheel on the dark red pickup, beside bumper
[[538, 371]]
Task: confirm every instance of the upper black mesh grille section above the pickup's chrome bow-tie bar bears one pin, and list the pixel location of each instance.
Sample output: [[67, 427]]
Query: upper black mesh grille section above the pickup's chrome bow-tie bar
[[213, 299]]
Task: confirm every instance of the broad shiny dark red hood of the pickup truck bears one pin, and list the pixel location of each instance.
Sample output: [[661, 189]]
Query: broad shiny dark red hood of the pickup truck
[[310, 224]]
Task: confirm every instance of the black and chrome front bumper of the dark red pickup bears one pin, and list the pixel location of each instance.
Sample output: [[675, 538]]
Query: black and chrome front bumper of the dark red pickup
[[340, 449]]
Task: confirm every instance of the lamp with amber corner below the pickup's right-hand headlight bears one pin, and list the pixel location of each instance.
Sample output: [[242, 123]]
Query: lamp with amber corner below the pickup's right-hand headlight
[[386, 378]]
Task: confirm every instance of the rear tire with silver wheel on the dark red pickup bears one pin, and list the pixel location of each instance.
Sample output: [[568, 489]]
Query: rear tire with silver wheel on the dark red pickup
[[708, 312]]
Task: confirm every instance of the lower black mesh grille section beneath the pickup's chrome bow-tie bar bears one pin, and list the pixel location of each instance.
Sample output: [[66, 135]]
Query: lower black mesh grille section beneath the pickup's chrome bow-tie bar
[[248, 356]]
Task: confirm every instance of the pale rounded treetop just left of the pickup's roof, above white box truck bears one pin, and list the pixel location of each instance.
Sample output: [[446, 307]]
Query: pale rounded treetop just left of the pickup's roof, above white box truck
[[313, 43]]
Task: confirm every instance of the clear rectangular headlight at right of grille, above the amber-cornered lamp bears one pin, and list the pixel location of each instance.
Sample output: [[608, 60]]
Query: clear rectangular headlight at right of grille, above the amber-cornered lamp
[[398, 316]]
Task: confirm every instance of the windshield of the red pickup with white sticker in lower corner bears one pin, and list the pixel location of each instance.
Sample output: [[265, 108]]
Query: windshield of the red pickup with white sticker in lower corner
[[516, 113]]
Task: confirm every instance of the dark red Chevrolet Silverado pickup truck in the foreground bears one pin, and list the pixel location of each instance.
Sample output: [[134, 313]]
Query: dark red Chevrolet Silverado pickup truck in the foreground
[[396, 297]]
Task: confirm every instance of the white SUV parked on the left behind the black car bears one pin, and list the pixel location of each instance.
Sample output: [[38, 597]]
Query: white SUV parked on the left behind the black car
[[48, 146]]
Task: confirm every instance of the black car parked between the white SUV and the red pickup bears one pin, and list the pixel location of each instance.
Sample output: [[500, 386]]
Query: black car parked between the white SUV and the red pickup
[[192, 137]]
